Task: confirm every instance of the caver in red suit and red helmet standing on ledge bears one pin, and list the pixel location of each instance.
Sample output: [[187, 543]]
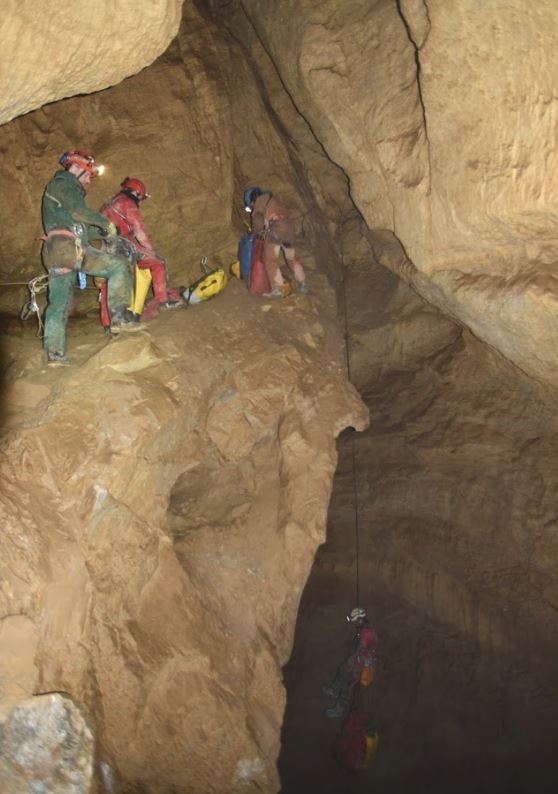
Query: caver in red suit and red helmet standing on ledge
[[123, 210]]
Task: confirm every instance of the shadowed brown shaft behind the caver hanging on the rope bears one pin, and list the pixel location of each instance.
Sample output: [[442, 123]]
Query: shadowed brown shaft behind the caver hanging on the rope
[[465, 694]]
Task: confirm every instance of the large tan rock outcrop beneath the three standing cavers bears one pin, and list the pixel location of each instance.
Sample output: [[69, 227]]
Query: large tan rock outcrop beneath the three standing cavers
[[161, 506]]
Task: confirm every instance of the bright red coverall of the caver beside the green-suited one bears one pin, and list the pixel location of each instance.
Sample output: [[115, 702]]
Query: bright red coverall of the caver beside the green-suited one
[[123, 211]]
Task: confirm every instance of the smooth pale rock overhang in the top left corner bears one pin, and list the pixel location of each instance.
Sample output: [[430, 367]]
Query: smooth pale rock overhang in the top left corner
[[52, 50]]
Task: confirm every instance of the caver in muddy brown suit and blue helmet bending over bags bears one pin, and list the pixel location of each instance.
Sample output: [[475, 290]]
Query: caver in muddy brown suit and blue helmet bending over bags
[[271, 221]]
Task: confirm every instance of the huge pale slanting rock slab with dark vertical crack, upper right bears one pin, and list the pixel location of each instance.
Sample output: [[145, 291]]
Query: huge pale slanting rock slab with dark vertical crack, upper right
[[442, 117]]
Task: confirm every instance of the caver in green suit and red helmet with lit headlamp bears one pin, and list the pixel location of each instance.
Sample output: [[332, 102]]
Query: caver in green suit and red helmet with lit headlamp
[[69, 225]]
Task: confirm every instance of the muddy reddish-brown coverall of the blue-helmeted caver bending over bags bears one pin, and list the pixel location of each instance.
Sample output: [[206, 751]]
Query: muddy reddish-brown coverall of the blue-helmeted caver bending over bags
[[269, 215]]
